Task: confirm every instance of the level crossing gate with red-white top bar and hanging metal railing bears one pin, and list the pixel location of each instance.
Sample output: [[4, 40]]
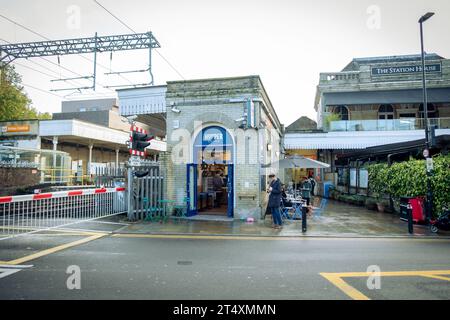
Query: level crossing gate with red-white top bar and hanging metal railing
[[40, 212]]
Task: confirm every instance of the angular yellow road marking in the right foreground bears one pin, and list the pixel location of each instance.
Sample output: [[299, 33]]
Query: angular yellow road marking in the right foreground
[[336, 279]]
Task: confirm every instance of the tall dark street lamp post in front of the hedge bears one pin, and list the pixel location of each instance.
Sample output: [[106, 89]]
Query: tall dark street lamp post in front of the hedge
[[429, 203]]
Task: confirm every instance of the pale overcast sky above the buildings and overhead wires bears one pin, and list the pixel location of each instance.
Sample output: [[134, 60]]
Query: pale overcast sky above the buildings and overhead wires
[[287, 42]]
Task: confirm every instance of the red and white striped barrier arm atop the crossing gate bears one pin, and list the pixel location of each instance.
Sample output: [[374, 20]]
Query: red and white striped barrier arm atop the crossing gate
[[59, 194]]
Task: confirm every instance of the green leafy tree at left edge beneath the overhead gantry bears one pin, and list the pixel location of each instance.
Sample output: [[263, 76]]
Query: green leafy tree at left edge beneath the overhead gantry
[[14, 103]]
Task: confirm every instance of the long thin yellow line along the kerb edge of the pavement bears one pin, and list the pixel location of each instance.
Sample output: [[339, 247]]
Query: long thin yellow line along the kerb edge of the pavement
[[271, 238]]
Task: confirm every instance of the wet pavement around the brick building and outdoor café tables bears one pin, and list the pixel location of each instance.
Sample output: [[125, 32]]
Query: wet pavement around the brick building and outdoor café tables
[[336, 220]]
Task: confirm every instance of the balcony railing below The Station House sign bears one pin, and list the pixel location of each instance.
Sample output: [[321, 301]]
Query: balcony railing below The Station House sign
[[388, 125]]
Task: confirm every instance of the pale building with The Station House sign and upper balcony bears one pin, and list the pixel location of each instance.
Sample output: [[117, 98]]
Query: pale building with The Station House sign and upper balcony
[[369, 110]]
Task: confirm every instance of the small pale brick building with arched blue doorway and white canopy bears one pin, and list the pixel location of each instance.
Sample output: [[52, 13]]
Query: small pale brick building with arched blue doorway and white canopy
[[220, 133]]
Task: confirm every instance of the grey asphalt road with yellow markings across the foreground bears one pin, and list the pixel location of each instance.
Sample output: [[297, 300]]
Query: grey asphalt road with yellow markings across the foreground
[[118, 267]]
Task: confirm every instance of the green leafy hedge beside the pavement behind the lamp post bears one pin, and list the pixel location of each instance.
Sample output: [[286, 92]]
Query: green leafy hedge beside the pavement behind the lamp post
[[408, 179]]
